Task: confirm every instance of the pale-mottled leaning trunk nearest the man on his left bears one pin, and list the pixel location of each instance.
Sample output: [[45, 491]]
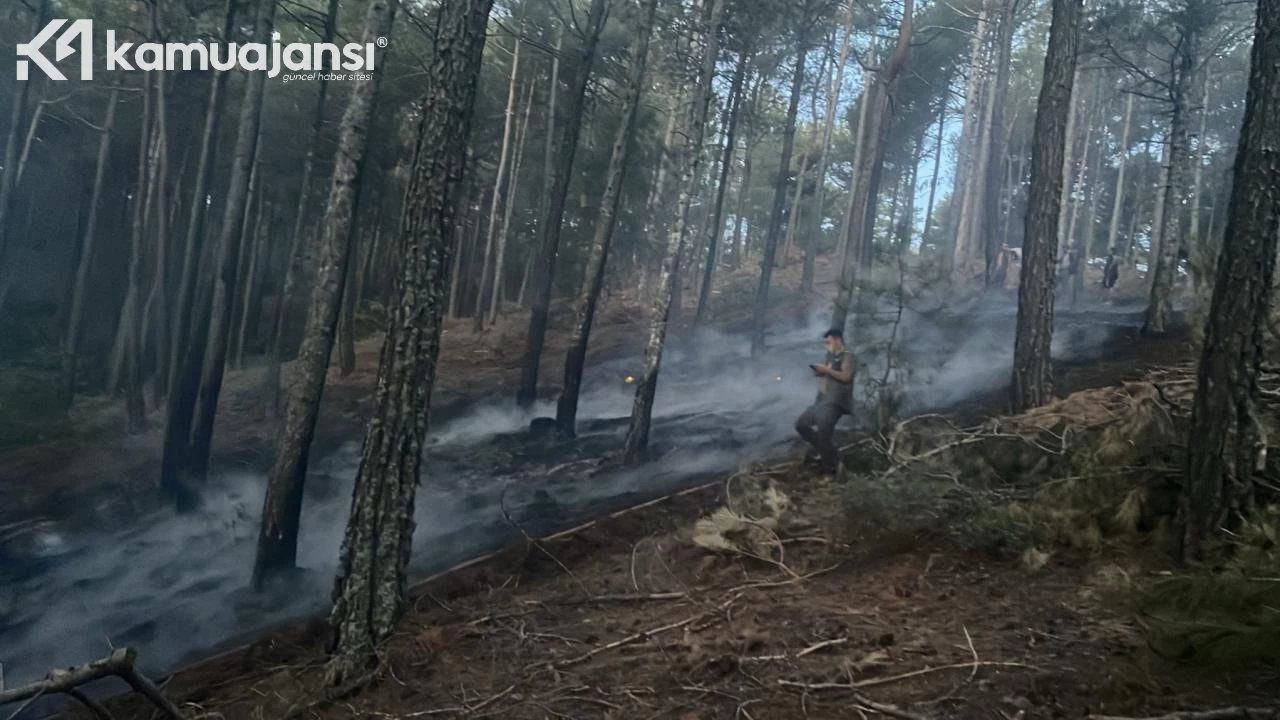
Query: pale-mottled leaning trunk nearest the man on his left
[[687, 160]]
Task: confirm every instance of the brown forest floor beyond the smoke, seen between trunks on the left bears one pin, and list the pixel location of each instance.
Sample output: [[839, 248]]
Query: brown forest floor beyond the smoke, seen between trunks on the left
[[90, 472]]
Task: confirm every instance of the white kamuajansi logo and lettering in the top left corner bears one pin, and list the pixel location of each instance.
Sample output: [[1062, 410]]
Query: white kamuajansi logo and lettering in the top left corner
[[276, 58]]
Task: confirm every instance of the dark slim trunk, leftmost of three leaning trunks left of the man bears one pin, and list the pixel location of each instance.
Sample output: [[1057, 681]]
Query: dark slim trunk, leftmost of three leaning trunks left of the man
[[548, 245]]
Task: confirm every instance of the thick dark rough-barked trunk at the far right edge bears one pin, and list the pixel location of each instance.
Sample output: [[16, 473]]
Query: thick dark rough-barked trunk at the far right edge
[[1228, 441]]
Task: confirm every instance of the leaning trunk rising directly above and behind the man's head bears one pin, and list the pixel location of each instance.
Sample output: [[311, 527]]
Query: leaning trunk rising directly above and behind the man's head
[[865, 183]]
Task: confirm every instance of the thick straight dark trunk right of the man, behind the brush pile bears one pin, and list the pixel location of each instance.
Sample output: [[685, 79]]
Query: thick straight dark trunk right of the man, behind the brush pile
[[1034, 366]]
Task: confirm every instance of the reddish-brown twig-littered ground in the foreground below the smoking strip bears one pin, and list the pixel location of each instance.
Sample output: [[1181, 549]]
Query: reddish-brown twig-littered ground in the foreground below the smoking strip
[[629, 619]]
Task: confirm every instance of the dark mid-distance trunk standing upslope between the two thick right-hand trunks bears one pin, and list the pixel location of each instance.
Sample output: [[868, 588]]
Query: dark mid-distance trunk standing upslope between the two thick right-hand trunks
[[1160, 311]]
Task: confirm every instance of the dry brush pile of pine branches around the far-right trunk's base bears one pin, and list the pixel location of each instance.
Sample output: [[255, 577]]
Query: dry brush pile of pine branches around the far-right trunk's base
[[1098, 472]]
